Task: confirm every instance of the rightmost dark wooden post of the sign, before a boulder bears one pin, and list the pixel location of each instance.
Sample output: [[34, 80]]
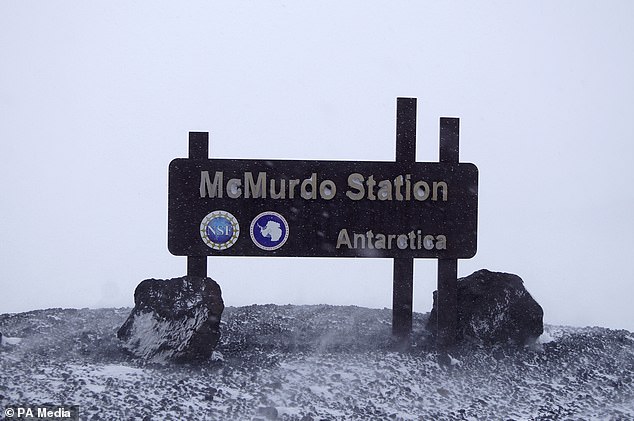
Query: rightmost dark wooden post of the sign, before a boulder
[[447, 298]]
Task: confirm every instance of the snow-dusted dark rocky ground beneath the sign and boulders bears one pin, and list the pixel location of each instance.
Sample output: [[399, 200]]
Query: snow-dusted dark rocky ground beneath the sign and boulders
[[312, 363]]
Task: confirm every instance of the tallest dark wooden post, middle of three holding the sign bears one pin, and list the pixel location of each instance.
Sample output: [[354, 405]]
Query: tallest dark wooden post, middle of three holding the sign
[[403, 268]]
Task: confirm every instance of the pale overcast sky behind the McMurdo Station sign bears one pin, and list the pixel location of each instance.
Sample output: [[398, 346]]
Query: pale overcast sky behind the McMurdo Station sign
[[96, 98]]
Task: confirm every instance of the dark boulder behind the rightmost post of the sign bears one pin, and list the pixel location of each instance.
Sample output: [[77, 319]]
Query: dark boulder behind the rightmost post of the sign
[[494, 308]]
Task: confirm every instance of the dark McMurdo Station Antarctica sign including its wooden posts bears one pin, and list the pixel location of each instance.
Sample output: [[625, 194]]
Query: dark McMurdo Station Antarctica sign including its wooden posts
[[298, 208]]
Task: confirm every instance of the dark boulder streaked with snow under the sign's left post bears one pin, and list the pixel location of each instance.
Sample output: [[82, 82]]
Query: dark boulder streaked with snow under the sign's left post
[[174, 319]]
